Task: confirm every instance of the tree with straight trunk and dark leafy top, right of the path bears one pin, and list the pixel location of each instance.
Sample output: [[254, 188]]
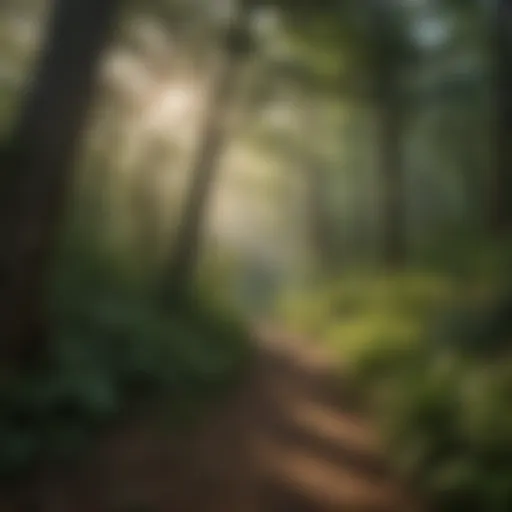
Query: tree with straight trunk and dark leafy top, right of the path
[[372, 37]]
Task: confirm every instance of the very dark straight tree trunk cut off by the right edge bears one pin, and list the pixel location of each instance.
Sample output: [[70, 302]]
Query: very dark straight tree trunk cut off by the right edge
[[501, 186]]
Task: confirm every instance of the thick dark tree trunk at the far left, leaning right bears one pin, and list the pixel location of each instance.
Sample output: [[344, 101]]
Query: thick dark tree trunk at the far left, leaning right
[[36, 166]]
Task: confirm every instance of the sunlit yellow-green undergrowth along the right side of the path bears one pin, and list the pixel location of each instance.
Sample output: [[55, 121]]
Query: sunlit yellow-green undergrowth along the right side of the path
[[431, 353]]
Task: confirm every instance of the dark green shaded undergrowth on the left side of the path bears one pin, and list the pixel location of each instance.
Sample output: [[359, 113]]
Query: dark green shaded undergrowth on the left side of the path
[[111, 346]]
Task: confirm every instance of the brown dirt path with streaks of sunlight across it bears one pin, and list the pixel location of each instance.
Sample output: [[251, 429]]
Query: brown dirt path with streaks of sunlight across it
[[289, 441]]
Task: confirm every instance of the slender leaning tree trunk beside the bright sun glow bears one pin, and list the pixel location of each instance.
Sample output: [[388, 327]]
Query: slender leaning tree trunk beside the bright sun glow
[[190, 231]]
